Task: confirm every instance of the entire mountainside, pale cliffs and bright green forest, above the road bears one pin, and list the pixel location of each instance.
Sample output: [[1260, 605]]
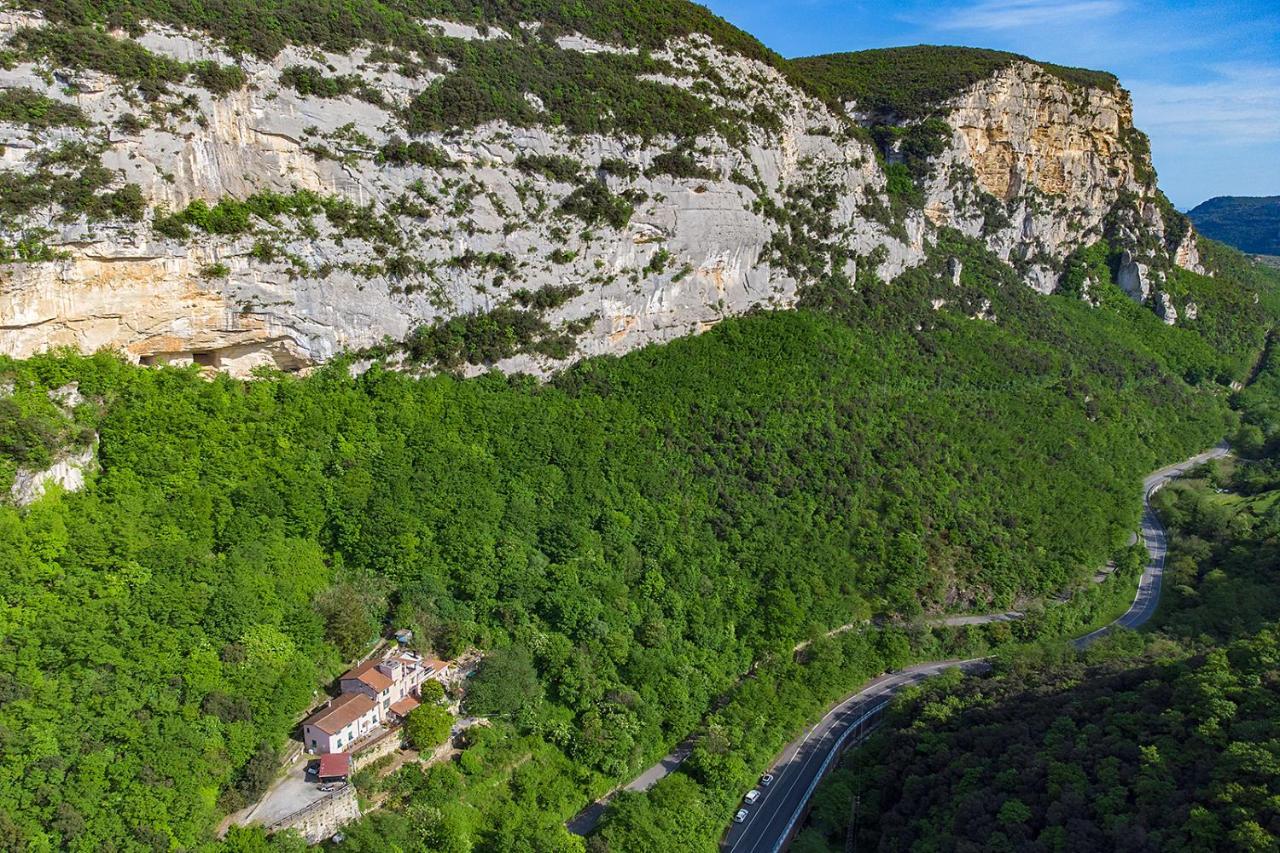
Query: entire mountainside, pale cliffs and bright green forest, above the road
[[381, 190]]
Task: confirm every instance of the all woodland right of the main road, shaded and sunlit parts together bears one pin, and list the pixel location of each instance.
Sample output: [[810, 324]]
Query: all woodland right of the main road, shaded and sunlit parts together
[[1131, 754]]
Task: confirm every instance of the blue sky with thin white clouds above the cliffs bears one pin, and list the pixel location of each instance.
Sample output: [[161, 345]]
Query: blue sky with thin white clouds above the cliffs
[[1205, 76]]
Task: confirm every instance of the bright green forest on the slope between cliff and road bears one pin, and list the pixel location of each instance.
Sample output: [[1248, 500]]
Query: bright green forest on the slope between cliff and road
[[646, 528]]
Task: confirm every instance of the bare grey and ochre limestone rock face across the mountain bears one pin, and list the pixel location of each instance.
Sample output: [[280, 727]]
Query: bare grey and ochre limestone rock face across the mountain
[[465, 223]]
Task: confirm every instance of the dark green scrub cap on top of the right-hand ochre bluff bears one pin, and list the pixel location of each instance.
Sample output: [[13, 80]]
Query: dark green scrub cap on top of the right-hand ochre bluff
[[915, 83]]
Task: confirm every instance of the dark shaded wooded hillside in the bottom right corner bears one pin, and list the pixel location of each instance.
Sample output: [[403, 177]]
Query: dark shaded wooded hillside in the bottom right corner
[[1124, 755]]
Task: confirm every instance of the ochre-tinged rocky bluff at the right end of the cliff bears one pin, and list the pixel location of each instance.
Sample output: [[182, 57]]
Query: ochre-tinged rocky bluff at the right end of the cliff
[[1036, 167]]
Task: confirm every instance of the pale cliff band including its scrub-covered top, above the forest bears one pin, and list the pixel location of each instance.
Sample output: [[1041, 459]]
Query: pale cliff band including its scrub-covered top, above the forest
[[273, 184]]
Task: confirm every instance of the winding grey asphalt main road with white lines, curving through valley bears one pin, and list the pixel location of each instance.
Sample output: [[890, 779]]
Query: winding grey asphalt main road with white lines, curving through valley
[[804, 761]]
